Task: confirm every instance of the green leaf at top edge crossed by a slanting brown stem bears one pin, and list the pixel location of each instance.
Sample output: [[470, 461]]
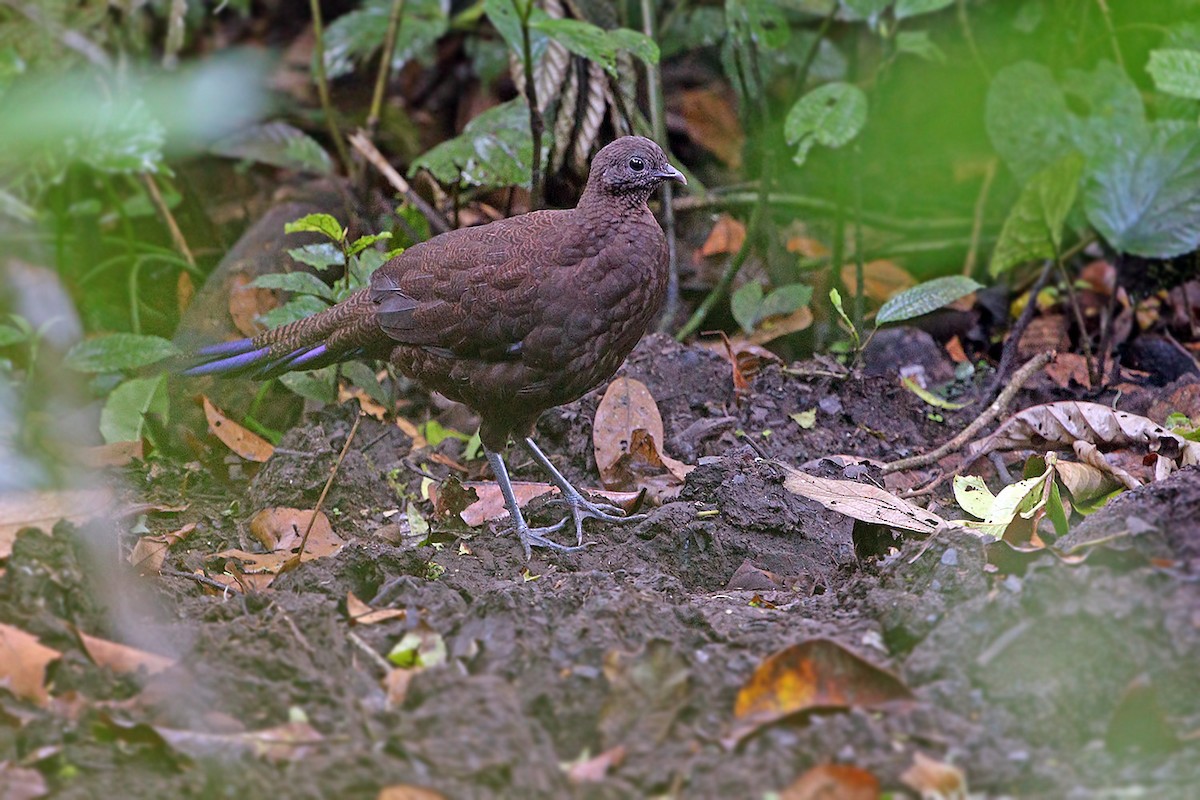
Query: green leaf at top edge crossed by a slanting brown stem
[[356, 37]]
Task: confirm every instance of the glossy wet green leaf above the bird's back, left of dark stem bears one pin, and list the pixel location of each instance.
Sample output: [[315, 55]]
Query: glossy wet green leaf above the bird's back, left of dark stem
[[496, 149]]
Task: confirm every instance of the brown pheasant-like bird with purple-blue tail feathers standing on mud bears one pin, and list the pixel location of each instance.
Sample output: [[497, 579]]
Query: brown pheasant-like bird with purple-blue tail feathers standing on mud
[[511, 318]]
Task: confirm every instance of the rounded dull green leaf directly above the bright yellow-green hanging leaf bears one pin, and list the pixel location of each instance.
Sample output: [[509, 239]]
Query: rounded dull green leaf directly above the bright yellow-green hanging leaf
[[1028, 119]]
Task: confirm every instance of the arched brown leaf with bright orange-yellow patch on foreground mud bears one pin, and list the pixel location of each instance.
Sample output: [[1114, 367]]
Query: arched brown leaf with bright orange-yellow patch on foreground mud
[[811, 676]]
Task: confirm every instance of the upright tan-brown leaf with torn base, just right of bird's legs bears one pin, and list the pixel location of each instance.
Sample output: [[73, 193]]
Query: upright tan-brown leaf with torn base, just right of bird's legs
[[626, 458]]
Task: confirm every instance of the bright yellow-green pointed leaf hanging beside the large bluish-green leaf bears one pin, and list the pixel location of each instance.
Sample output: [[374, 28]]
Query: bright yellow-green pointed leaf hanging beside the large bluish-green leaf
[[1034, 230]]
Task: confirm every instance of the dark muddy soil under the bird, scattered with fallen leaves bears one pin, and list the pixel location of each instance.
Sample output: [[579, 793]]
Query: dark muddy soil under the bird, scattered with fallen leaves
[[1036, 677]]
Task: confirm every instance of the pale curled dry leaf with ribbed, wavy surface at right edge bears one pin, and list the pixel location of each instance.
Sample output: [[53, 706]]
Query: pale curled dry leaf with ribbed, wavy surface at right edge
[[1063, 425]]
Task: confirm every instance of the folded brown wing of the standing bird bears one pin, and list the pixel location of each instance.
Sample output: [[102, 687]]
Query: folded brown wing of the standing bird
[[472, 293]]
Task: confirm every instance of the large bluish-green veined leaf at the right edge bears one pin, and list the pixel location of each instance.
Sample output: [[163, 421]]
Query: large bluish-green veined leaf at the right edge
[[1145, 199]]
